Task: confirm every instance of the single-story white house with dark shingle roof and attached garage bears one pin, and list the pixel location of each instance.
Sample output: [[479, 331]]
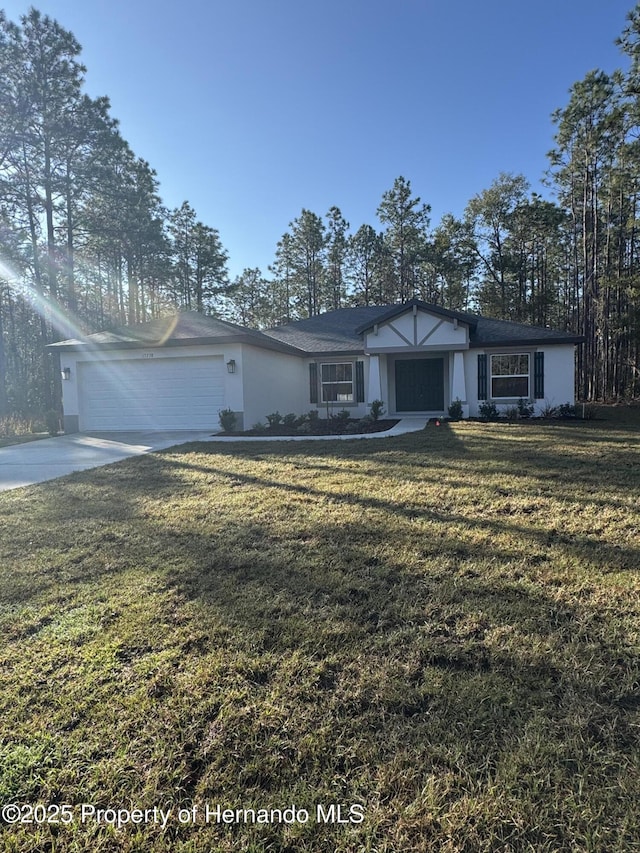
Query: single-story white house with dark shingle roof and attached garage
[[179, 372]]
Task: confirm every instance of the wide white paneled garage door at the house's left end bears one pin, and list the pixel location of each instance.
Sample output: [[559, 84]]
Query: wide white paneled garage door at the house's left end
[[144, 394]]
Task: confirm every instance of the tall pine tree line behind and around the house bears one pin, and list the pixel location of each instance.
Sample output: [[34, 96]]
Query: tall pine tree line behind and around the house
[[87, 244]]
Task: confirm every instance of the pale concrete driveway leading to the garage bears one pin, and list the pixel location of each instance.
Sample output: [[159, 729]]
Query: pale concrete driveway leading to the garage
[[37, 461]]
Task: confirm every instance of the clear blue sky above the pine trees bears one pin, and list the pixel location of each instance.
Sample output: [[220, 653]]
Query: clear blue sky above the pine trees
[[254, 109]]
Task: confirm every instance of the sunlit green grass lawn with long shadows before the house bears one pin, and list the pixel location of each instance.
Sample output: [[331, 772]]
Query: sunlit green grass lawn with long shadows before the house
[[443, 627]]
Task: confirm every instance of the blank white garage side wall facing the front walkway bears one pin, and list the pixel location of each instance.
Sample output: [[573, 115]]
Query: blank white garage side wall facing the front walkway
[[271, 382]]
